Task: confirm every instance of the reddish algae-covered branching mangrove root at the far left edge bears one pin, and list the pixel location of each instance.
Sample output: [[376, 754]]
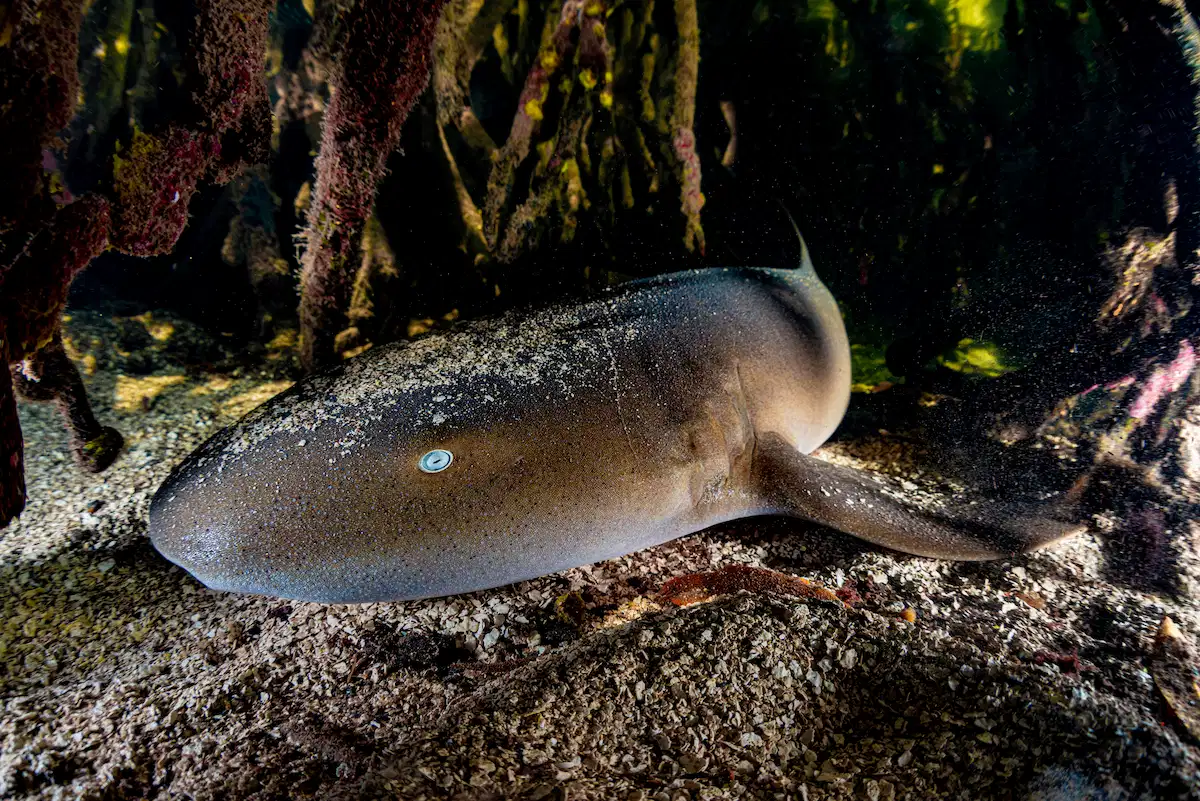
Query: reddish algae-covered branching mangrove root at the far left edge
[[49, 236]]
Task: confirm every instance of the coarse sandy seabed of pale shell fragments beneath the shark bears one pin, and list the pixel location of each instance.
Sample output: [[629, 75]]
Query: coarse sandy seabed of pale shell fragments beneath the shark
[[122, 677]]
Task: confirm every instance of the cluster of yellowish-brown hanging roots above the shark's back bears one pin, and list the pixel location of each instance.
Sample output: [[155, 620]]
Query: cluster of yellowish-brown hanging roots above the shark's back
[[602, 93]]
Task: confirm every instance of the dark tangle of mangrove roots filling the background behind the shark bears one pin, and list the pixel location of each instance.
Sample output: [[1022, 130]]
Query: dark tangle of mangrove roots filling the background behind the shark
[[1001, 194]]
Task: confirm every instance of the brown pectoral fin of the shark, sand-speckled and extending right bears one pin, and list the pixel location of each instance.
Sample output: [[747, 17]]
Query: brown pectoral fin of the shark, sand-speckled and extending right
[[850, 502]]
